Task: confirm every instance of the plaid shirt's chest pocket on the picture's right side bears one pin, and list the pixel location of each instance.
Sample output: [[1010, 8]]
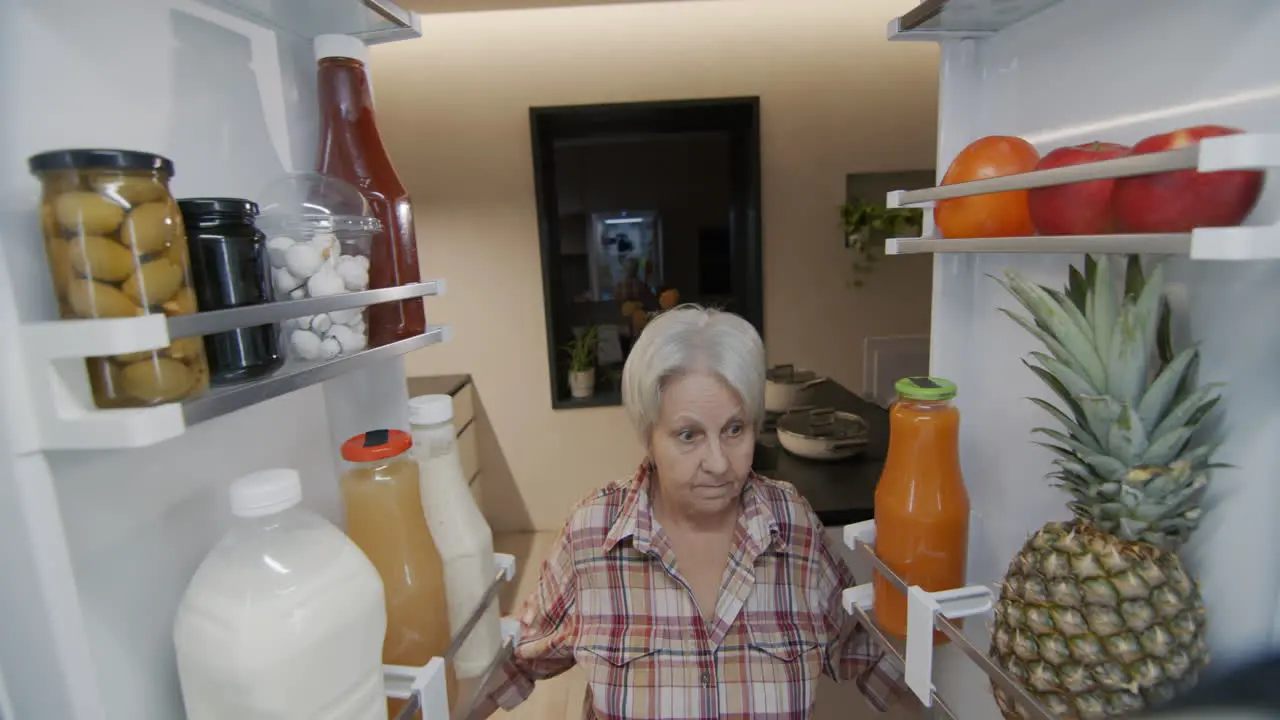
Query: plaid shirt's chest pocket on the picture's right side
[[784, 663]]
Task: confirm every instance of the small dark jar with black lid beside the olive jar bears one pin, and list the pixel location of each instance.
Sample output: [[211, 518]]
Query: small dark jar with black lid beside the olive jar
[[230, 270]]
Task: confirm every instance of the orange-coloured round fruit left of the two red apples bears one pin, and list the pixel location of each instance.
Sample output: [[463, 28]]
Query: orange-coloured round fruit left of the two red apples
[[1002, 215]]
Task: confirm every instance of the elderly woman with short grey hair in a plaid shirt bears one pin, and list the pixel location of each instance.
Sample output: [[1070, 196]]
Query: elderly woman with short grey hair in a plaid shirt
[[694, 589]]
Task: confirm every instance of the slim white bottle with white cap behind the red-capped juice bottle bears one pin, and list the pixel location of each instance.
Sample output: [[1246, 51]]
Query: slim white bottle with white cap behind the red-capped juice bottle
[[460, 531]]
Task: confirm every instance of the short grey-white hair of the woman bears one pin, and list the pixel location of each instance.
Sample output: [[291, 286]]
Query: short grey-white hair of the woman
[[693, 339]]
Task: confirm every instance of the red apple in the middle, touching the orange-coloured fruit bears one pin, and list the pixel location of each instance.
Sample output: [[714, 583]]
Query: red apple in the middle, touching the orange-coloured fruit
[[1080, 208]]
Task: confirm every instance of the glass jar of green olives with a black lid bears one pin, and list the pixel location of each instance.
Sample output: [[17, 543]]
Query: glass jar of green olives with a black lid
[[117, 249]]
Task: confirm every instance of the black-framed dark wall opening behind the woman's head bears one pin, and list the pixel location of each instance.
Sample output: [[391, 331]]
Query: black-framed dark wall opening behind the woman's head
[[642, 206]]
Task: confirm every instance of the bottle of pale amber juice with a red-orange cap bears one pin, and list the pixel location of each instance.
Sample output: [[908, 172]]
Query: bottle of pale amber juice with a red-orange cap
[[385, 518]]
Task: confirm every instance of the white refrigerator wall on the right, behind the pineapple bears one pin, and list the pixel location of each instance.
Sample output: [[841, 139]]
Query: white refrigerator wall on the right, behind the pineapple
[[1098, 70]]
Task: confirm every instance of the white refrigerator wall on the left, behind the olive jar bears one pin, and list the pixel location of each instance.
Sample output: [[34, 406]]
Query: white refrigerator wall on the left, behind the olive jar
[[234, 104]]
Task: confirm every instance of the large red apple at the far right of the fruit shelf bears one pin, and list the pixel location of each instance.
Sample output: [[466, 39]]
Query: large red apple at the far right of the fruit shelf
[[1183, 200]]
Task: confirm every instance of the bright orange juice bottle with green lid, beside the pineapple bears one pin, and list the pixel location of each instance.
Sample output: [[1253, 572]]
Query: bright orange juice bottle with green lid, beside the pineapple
[[922, 509]]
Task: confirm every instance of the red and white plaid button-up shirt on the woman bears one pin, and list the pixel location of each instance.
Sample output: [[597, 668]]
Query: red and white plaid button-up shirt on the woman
[[611, 600]]
